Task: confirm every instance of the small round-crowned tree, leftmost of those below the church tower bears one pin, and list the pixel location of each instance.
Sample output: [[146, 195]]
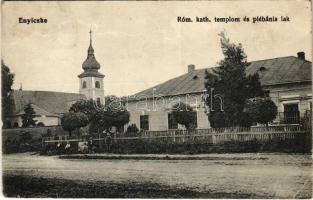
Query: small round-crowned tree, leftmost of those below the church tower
[[71, 121]]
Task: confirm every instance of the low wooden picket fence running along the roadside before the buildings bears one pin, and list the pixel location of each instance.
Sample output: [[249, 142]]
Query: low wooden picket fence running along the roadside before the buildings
[[209, 136]]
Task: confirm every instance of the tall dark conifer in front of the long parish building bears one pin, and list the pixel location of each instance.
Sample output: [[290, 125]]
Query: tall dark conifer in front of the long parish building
[[230, 81]]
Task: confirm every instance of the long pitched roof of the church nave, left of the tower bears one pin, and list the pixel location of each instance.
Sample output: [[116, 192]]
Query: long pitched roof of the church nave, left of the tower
[[51, 102]]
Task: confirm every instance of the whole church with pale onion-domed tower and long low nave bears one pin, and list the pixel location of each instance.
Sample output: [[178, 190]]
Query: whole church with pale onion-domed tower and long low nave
[[49, 105]]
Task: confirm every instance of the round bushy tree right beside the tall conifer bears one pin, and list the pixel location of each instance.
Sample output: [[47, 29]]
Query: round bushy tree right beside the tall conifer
[[261, 110]]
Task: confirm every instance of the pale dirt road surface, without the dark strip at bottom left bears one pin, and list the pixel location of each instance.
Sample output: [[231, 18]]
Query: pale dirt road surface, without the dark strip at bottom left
[[273, 176]]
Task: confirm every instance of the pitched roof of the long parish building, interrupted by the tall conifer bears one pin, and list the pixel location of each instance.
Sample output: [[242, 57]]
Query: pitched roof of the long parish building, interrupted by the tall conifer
[[272, 72]]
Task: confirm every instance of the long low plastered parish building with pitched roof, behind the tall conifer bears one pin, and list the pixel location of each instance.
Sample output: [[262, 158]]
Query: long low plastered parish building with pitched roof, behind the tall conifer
[[288, 81]]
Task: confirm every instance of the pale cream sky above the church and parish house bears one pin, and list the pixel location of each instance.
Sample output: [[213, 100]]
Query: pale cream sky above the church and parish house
[[140, 44]]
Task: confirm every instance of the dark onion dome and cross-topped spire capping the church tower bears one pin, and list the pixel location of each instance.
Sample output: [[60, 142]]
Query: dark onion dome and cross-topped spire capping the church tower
[[91, 65]]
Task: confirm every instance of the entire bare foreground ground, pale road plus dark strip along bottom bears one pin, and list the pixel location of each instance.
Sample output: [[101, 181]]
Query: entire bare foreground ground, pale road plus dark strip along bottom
[[218, 176]]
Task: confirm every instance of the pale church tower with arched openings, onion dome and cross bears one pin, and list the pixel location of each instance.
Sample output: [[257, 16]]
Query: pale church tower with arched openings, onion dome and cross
[[91, 81]]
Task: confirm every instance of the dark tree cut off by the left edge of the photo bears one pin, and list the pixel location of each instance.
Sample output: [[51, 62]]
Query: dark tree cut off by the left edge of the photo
[[7, 79]]
